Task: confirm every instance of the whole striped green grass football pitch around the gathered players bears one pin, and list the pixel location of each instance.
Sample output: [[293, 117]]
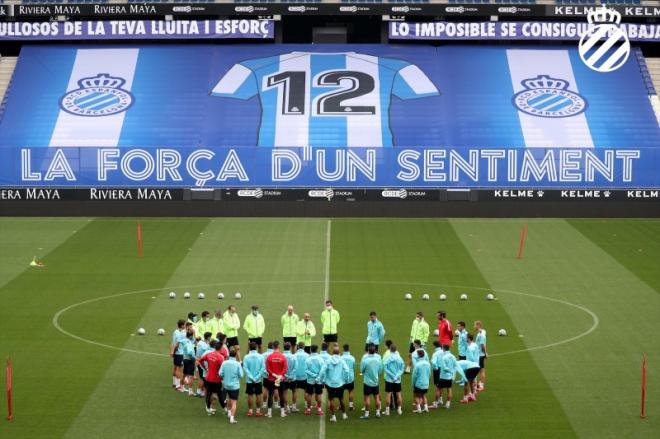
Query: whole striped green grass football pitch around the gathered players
[[580, 309]]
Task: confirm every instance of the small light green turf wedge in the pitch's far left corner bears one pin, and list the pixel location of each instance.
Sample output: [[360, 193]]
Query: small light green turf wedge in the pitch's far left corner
[[20, 241]]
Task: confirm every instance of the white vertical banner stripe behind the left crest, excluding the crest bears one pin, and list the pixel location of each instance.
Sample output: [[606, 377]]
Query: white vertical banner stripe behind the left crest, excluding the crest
[[72, 130]]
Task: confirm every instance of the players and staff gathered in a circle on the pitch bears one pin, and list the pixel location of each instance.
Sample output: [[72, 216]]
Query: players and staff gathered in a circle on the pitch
[[276, 376]]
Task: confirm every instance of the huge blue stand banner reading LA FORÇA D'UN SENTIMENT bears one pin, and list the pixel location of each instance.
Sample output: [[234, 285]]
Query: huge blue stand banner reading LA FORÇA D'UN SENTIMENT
[[460, 110]]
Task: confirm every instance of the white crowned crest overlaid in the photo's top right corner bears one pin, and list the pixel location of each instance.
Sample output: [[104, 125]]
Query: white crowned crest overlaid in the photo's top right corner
[[604, 47]]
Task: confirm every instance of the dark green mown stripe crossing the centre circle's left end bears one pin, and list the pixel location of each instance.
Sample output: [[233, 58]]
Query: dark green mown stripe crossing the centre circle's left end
[[54, 374]]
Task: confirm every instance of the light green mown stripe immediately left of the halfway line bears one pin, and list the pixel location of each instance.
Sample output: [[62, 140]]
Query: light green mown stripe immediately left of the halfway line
[[264, 260]]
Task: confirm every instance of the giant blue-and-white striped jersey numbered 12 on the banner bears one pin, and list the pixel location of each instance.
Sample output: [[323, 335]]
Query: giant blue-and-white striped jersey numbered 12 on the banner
[[325, 99]]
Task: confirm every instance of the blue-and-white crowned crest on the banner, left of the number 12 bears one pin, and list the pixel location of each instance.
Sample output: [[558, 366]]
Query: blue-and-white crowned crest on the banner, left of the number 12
[[97, 96]]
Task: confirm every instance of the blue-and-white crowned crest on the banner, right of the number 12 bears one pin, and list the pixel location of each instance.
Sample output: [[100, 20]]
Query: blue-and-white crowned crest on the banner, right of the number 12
[[548, 97]]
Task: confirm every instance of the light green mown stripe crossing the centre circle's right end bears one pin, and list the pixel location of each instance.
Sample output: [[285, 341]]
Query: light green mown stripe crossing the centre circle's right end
[[595, 378]]
